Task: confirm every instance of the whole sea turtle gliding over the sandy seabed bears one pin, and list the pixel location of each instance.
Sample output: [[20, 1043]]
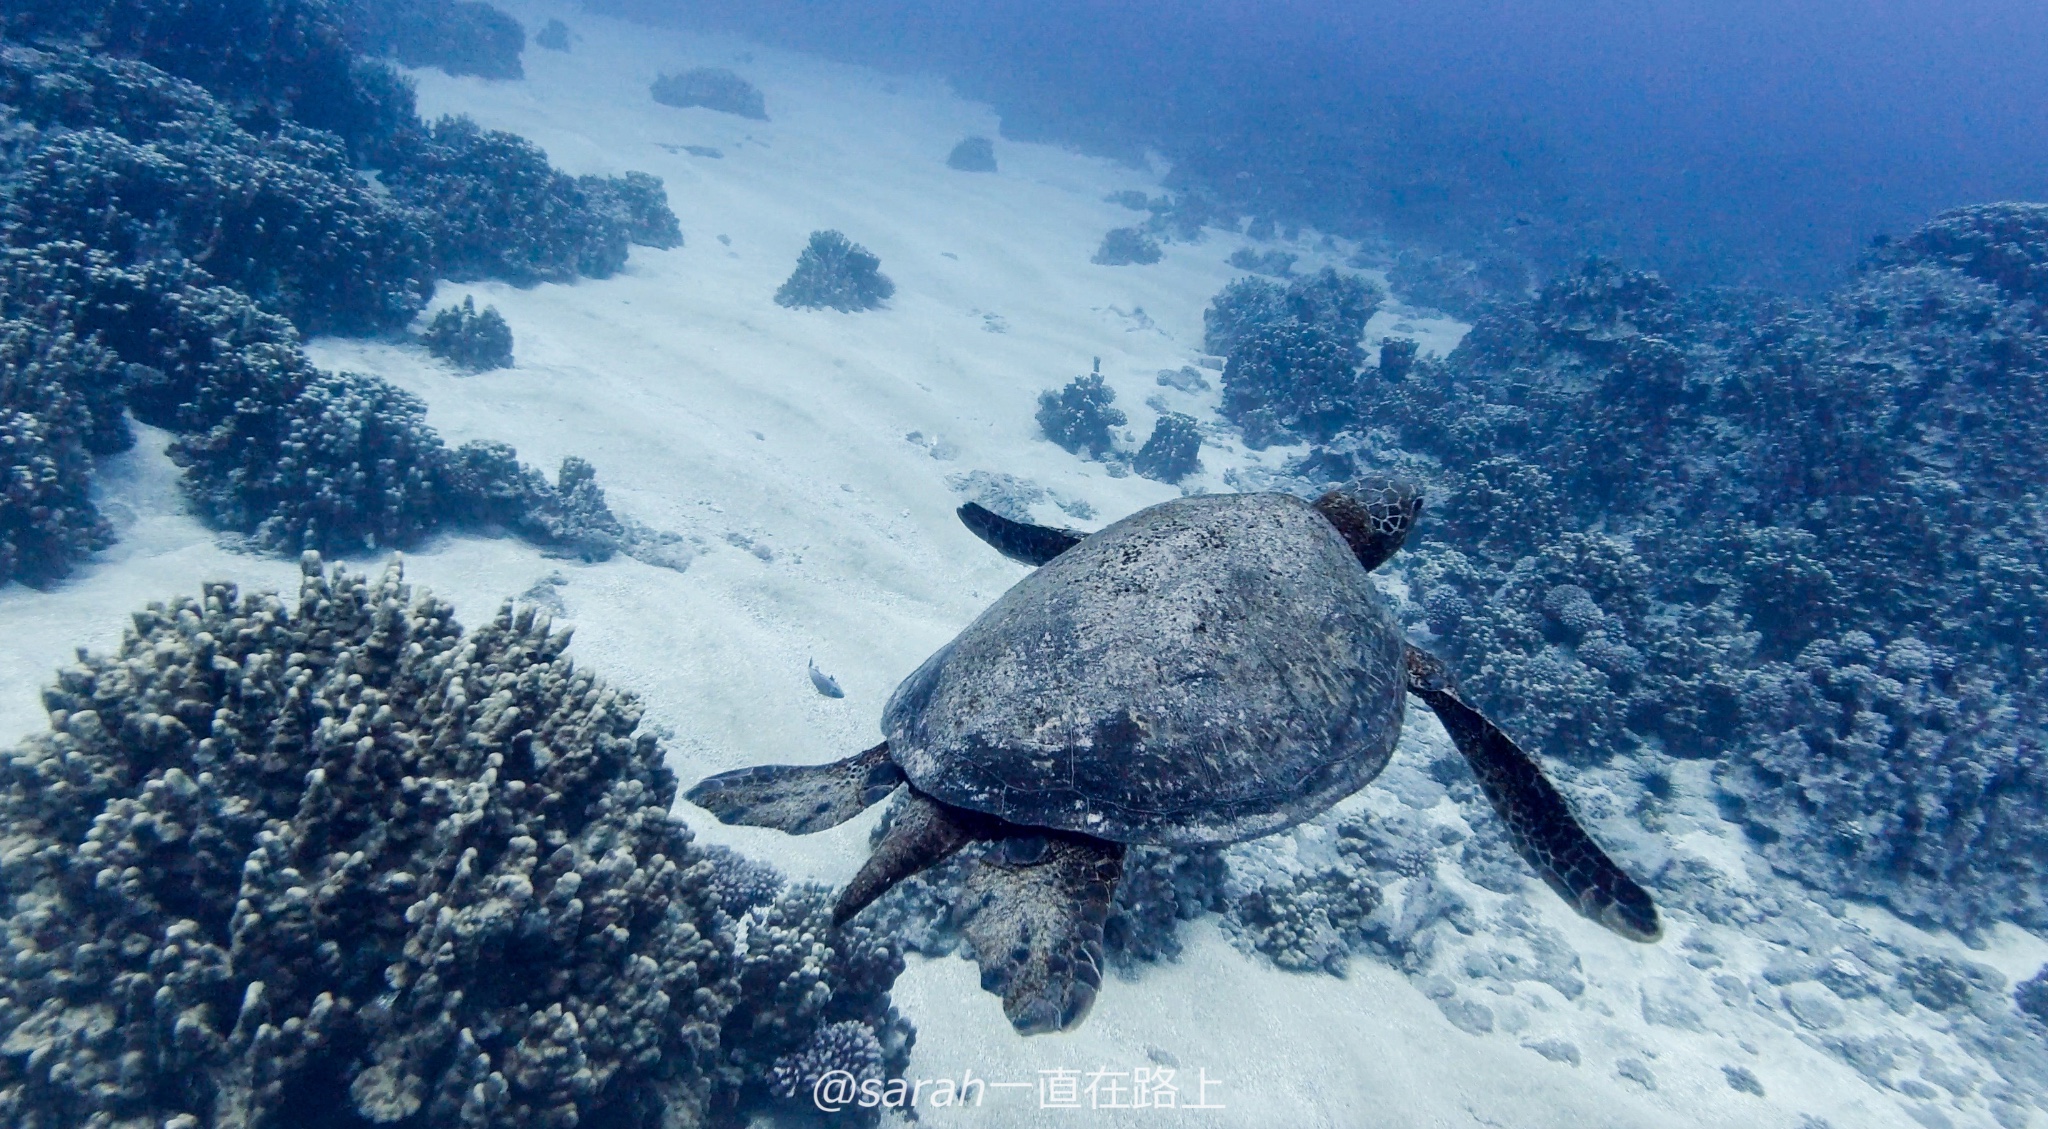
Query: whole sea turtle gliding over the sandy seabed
[[1205, 671]]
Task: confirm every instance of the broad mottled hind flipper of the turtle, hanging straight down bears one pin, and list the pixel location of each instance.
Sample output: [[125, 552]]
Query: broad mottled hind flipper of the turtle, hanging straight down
[[1039, 903]]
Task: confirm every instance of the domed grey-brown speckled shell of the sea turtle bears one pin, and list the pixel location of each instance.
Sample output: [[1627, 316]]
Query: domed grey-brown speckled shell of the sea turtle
[[1205, 671]]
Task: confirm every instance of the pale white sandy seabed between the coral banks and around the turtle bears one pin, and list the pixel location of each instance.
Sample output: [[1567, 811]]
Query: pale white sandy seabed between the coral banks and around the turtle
[[771, 433]]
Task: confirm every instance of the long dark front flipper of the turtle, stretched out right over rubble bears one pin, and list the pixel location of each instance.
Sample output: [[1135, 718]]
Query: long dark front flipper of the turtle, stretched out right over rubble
[[1539, 823]]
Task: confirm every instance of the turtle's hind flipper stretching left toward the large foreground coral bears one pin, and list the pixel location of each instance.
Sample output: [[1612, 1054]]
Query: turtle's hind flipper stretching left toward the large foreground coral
[[800, 798]]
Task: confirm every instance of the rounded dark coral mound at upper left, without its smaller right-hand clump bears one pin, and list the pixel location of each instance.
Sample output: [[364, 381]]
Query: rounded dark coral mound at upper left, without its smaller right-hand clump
[[130, 161]]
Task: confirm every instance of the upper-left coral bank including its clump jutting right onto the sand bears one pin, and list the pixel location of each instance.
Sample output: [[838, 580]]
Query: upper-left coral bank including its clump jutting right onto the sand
[[136, 163]]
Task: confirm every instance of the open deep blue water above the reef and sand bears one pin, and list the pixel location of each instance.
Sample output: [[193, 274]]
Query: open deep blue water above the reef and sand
[[1730, 140]]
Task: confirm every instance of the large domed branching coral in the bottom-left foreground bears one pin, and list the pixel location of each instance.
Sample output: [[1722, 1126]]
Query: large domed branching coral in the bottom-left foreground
[[288, 860]]
